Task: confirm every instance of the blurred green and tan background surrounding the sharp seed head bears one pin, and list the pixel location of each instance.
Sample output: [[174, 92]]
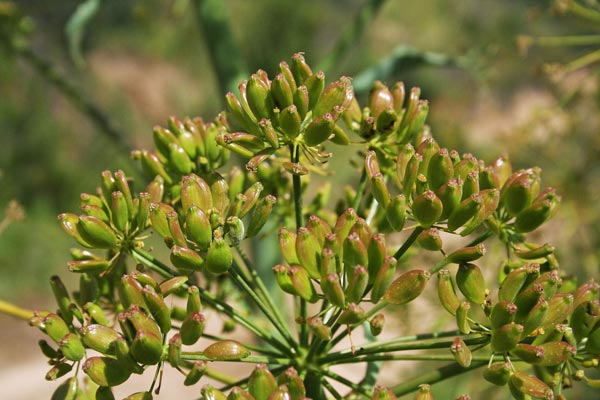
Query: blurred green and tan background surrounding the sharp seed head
[[83, 83]]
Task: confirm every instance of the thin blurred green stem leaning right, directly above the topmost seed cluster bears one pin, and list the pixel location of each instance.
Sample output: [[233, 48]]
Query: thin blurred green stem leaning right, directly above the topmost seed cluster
[[351, 36]]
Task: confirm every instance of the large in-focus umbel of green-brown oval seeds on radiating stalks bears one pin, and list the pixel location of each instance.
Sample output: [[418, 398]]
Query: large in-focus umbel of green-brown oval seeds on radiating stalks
[[532, 330]]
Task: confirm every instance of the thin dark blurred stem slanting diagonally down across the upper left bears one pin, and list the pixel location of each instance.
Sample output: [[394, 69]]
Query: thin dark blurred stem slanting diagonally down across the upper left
[[75, 95]]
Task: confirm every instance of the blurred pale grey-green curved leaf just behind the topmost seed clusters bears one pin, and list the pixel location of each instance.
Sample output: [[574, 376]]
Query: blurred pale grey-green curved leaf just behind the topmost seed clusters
[[401, 59]]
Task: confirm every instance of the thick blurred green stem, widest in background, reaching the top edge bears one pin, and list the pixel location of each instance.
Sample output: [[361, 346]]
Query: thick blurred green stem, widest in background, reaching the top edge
[[225, 54]]
